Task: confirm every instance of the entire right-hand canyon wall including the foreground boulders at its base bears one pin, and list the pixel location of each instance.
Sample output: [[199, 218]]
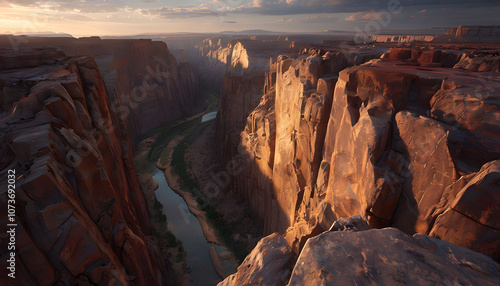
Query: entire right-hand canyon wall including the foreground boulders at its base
[[406, 141]]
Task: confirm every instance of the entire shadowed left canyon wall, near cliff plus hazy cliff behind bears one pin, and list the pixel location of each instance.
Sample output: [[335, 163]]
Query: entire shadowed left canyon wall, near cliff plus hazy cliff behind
[[67, 123]]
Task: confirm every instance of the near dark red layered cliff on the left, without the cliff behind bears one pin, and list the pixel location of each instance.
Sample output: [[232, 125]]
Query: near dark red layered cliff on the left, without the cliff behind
[[81, 216]]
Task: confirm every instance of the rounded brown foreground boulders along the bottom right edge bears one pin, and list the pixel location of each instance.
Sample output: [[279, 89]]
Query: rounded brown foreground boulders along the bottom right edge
[[353, 253]]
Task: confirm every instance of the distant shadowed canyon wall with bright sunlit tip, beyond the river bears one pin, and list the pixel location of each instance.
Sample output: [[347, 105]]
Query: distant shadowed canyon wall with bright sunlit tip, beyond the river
[[238, 70]]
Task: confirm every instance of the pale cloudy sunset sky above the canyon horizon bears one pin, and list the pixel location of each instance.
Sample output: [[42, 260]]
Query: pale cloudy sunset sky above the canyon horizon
[[132, 17]]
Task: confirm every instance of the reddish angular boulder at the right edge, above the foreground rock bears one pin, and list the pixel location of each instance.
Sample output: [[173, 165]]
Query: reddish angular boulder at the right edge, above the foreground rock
[[473, 213]]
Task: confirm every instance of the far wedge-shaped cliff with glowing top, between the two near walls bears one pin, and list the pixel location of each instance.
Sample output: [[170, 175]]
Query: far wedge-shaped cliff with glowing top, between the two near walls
[[245, 78]]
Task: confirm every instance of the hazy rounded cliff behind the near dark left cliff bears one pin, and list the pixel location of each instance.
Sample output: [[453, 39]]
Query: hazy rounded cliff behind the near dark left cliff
[[147, 87]]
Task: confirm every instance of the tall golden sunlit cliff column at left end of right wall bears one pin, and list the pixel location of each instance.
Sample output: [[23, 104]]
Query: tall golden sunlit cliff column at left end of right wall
[[285, 135]]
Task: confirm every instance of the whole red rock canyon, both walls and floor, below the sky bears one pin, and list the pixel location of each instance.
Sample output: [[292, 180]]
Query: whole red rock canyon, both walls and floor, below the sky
[[334, 162]]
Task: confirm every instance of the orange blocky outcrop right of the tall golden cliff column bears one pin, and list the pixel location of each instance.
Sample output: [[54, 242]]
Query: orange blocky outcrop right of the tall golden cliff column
[[391, 163]]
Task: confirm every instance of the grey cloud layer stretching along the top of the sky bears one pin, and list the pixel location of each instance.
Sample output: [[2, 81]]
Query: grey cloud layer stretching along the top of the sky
[[261, 7]]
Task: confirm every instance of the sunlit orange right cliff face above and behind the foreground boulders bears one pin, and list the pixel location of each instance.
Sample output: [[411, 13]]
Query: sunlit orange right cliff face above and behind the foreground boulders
[[404, 141]]
